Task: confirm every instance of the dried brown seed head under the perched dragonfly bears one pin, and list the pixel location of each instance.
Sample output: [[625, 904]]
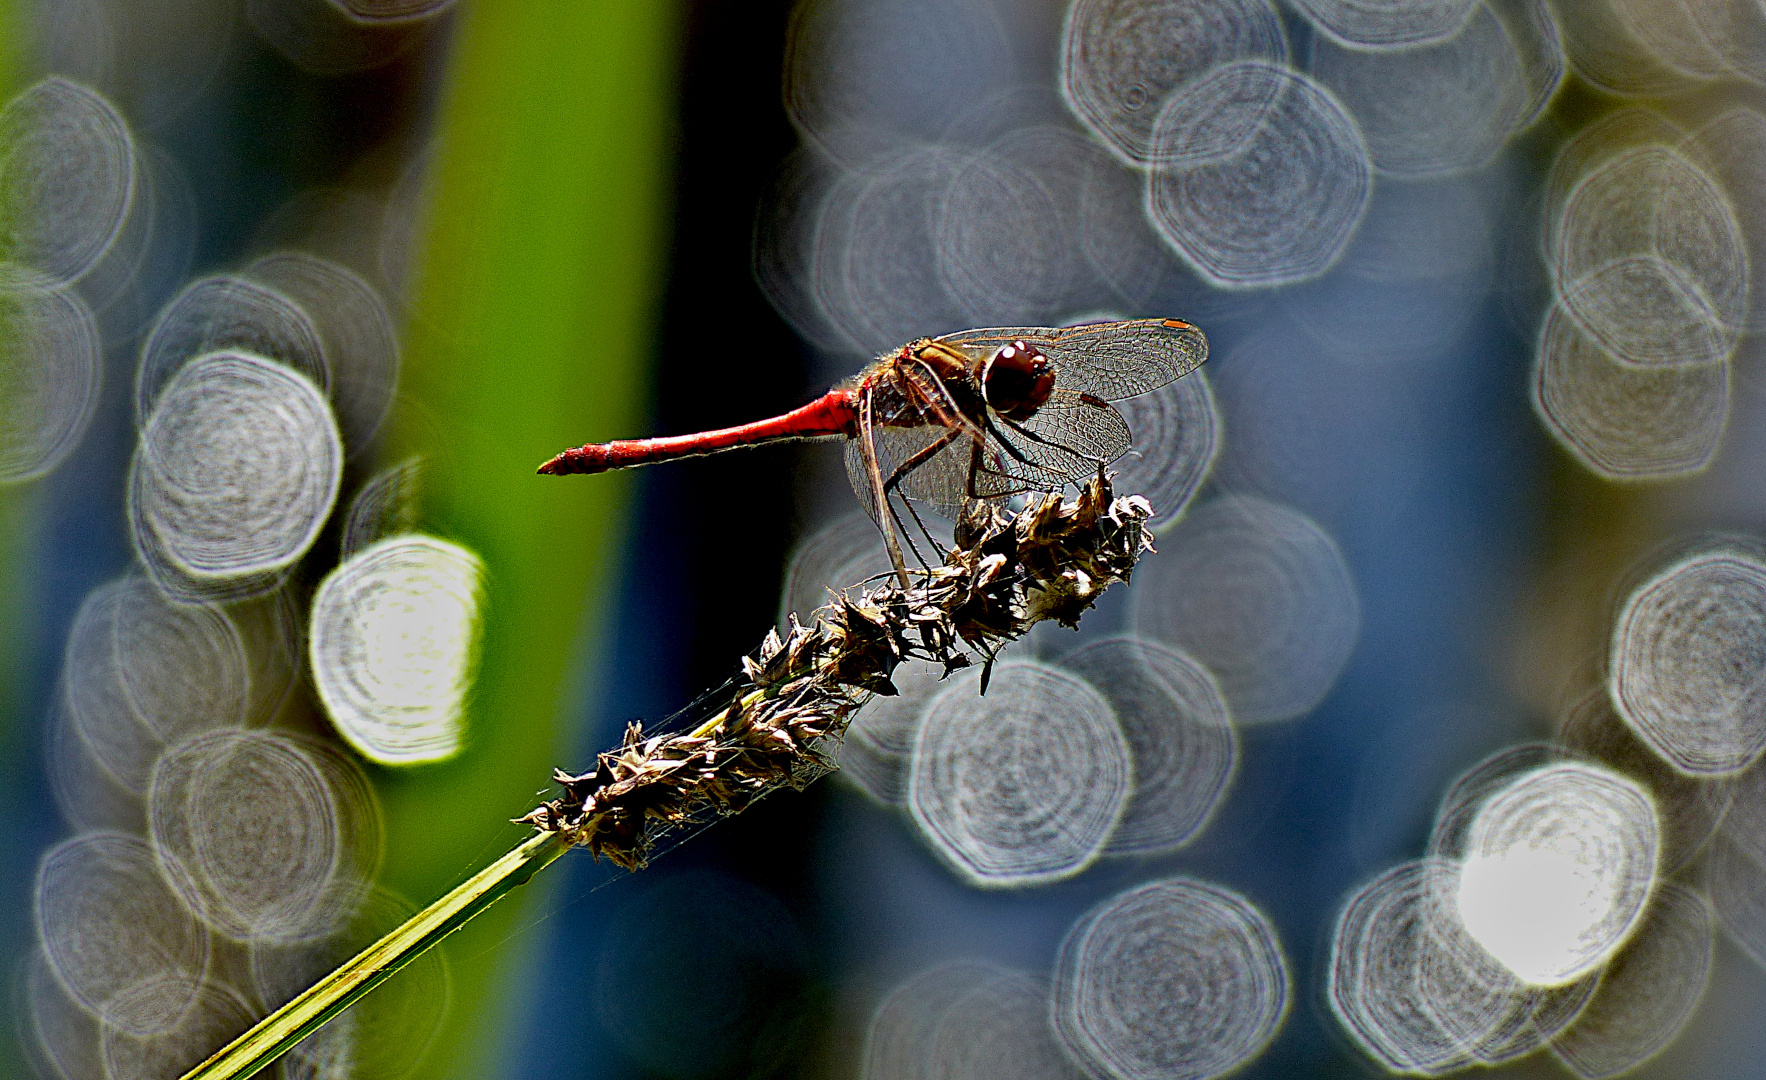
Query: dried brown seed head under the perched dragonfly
[[790, 707]]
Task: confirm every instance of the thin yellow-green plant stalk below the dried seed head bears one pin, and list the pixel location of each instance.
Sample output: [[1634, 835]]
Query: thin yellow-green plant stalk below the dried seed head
[[336, 993]]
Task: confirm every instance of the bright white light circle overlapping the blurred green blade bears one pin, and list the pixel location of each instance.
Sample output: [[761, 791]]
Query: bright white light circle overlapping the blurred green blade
[[395, 643]]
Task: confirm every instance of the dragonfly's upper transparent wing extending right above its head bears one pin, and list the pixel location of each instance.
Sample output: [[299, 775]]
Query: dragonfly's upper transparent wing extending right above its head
[[1108, 361]]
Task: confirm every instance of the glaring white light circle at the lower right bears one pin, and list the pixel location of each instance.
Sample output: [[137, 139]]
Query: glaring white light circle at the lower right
[[1558, 869]]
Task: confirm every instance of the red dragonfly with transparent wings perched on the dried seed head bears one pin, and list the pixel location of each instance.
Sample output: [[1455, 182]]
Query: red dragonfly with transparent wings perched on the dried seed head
[[972, 416]]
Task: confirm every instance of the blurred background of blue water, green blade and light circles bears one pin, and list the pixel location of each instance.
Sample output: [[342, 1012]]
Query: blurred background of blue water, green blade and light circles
[[298, 294]]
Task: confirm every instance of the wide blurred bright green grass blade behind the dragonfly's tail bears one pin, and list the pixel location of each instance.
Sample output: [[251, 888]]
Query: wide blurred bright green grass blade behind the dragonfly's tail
[[534, 303]]
